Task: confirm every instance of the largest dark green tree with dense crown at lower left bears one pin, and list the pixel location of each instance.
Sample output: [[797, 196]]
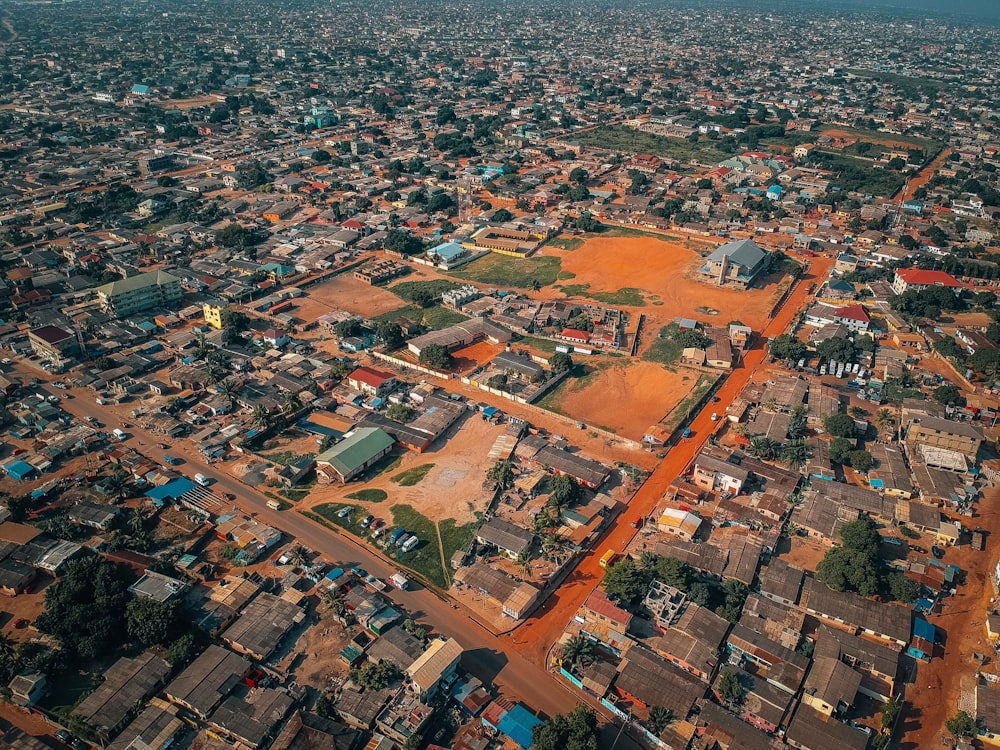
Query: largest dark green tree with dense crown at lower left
[[85, 609]]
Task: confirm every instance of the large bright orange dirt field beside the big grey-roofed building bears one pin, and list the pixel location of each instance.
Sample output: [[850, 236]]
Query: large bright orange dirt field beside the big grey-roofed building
[[664, 271]]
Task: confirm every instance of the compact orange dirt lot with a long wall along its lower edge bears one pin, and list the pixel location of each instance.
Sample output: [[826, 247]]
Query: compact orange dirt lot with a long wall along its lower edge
[[627, 398]]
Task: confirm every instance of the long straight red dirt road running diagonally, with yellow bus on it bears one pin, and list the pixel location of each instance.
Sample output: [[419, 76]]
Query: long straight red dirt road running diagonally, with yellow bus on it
[[536, 635]]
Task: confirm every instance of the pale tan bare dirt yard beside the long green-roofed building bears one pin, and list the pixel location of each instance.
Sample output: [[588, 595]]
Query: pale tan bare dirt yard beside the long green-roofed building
[[452, 488]]
